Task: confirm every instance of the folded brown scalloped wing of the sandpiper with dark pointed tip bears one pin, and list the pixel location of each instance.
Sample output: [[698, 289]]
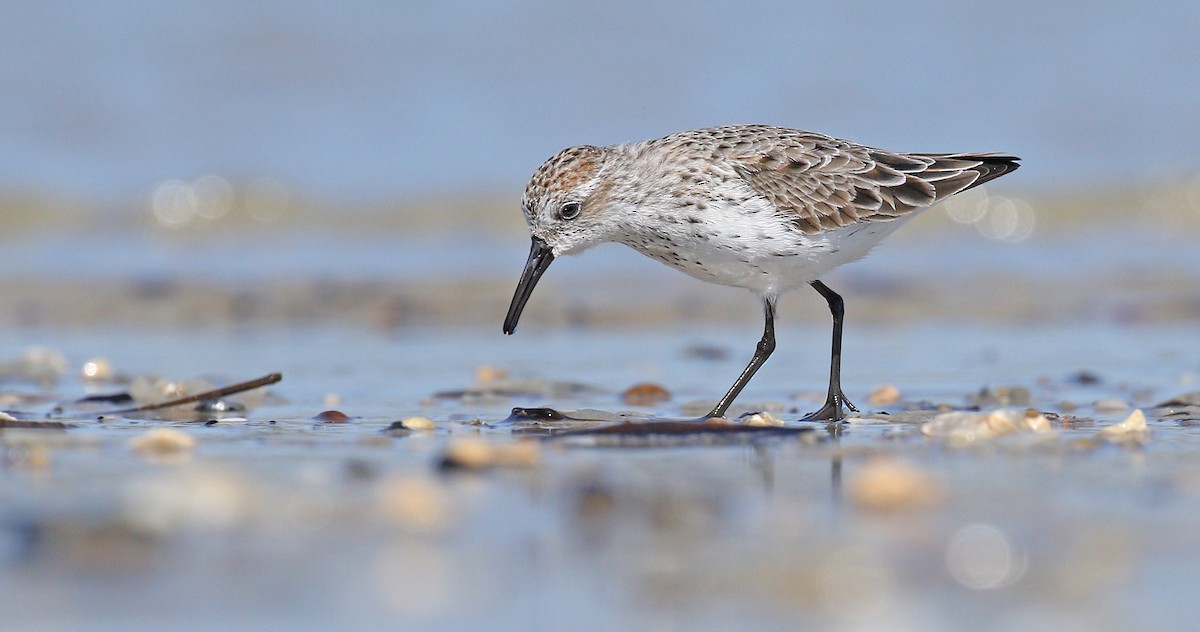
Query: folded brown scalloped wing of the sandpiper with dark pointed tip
[[831, 184]]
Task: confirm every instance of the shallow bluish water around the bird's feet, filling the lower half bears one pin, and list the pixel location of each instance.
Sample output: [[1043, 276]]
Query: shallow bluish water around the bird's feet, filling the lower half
[[319, 525]]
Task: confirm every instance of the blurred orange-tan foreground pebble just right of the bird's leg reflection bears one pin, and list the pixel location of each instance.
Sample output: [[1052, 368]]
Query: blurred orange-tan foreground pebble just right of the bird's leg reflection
[[889, 486]]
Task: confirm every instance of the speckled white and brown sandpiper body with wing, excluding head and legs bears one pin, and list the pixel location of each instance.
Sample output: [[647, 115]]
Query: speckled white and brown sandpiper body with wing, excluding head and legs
[[770, 208]]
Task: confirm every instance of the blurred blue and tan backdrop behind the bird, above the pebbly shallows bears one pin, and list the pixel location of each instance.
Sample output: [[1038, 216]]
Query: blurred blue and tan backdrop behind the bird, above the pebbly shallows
[[279, 162]]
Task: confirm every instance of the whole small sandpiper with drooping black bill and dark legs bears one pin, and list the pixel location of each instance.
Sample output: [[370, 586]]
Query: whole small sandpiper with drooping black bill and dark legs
[[758, 207]]
